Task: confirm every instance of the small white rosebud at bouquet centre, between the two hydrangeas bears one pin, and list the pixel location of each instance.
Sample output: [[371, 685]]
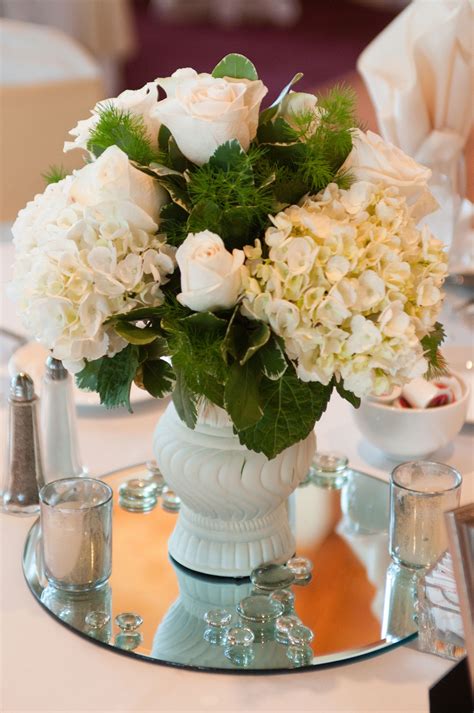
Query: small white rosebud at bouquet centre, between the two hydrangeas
[[211, 276]]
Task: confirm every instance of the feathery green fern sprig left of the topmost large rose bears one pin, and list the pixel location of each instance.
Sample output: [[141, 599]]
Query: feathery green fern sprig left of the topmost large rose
[[125, 130]]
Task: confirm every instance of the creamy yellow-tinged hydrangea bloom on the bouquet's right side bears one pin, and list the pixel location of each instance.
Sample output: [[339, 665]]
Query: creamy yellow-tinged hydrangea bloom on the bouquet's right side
[[351, 285]]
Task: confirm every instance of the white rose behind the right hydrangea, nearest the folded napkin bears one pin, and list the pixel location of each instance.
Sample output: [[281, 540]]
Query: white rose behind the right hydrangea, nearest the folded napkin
[[376, 161]]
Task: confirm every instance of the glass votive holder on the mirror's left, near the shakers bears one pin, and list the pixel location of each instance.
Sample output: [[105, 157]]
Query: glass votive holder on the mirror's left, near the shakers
[[76, 525]]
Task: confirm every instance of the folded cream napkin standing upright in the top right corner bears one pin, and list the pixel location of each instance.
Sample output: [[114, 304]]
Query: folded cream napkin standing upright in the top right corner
[[419, 73]]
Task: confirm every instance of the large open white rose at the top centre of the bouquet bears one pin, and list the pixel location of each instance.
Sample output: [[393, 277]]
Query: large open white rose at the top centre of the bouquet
[[203, 112]]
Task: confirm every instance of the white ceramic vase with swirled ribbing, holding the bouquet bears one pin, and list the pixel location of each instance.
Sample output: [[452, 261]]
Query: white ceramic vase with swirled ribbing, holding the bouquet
[[234, 512]]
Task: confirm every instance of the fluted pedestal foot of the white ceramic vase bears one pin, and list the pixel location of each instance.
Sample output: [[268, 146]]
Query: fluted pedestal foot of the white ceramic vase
[[231, 548]]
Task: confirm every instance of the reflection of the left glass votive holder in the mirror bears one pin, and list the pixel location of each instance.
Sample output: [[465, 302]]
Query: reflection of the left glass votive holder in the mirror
[[89, 612]]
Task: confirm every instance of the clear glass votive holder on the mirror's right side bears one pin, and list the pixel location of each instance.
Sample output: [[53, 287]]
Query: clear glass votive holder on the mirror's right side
[[420, 493]]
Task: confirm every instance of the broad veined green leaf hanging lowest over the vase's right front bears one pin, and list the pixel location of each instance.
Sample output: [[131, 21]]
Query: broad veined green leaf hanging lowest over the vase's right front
[[290, 409]]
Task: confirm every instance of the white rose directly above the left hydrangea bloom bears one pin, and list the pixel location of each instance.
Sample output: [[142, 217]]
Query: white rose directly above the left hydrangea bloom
[[112, 177]]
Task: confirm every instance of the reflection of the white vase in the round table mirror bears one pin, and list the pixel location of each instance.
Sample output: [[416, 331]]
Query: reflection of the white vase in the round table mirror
[[180, 636]]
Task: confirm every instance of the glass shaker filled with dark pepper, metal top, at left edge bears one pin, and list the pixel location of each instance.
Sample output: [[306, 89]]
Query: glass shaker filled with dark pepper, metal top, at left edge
[[24, 476]]
